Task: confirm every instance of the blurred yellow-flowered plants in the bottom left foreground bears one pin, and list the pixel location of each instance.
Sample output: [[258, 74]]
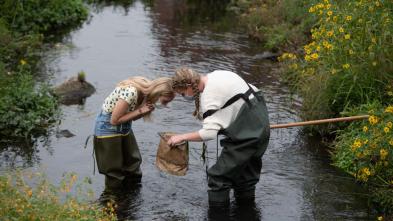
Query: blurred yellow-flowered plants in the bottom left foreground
[[29, 196]]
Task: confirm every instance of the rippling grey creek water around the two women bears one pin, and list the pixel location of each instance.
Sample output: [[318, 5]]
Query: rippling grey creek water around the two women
[[153, 39]]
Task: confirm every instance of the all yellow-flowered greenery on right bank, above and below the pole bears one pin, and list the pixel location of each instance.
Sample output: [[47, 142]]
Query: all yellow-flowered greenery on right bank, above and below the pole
[[347, 69]]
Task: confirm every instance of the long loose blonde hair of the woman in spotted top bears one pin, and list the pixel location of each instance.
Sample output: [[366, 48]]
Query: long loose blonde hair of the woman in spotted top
[[151, 89]]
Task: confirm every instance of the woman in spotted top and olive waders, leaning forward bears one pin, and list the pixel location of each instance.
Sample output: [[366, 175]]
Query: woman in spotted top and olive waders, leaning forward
[[116, 150]]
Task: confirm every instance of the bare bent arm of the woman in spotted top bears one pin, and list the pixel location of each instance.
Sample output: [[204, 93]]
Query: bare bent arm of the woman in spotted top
[[120, 114]]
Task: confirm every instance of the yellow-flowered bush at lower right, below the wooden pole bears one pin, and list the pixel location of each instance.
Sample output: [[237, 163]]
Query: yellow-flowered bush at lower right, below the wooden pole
[[365, 150]]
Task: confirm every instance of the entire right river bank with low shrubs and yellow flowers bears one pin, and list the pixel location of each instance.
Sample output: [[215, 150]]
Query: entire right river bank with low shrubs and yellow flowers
[[341, 67]]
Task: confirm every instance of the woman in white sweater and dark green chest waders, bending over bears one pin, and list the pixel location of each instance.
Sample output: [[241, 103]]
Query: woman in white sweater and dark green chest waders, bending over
[[233, 108]]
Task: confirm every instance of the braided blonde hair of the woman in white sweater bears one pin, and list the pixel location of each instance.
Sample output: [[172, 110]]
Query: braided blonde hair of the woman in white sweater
[[185, 77]]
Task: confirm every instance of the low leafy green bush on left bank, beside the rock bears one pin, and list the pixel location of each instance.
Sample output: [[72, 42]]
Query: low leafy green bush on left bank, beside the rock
[[26, 110]]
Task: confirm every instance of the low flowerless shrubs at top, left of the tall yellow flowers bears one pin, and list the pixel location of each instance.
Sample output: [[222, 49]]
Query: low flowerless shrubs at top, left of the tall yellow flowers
[[278, 25]]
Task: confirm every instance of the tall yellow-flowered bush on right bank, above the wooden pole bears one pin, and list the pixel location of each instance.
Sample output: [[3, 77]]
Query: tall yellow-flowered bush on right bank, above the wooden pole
[[349, 61]]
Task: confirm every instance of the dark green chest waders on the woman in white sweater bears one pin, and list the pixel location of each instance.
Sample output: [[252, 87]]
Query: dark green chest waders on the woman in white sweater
[[246, 139]]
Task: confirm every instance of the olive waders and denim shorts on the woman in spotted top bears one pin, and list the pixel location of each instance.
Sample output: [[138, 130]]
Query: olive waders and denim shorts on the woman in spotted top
[[117, 153]]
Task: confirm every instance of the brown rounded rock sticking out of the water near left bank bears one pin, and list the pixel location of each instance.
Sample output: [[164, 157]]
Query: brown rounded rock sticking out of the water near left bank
[[75, 90]]
